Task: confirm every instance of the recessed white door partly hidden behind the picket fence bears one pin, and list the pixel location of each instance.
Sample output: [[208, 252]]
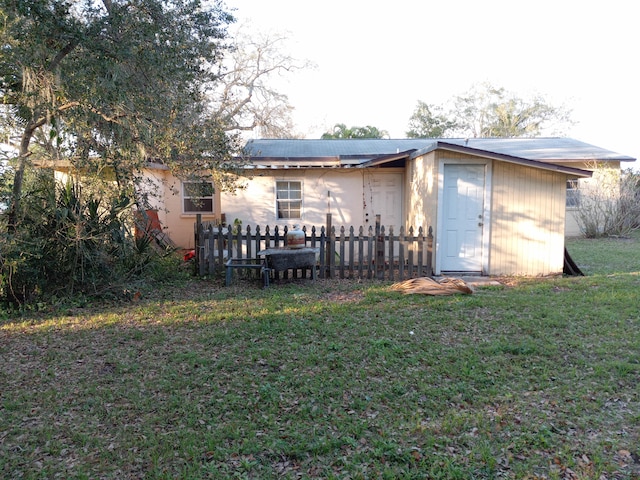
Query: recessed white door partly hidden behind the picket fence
[[383, 196]]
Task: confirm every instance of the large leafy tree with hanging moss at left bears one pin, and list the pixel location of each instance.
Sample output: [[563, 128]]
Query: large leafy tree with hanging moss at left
[[113, 84]]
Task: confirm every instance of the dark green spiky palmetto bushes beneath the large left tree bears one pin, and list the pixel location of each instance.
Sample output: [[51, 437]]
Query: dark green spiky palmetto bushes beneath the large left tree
[[71, 240]]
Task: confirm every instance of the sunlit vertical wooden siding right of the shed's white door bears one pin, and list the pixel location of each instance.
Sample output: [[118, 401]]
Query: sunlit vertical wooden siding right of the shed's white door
[[527, 221]]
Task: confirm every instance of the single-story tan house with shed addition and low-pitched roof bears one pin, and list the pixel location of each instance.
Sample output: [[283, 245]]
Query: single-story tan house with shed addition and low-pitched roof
[[496, 206]]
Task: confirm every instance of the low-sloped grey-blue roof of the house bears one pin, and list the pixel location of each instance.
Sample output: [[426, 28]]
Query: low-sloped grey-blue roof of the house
[[316, 152]]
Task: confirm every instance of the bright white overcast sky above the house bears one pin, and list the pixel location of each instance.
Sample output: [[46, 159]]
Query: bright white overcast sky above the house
[[373, 61]]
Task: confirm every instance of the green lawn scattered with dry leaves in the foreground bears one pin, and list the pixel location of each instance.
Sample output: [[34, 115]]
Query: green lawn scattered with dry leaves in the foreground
[[334, 379]]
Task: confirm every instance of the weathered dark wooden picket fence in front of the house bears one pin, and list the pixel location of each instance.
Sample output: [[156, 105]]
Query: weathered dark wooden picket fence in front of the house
[[372, 253]]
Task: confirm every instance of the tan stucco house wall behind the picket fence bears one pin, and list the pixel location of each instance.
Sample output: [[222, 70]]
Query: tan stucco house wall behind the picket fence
[[343, 193]]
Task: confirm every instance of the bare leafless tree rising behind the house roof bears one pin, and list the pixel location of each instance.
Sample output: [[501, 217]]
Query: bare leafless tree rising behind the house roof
[[244, 99]]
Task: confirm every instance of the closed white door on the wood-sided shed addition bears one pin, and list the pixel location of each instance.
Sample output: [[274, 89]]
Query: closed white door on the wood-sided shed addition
[[462, 222]]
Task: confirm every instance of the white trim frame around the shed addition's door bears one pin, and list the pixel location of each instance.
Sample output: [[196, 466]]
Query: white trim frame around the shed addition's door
[[486, 220]]
